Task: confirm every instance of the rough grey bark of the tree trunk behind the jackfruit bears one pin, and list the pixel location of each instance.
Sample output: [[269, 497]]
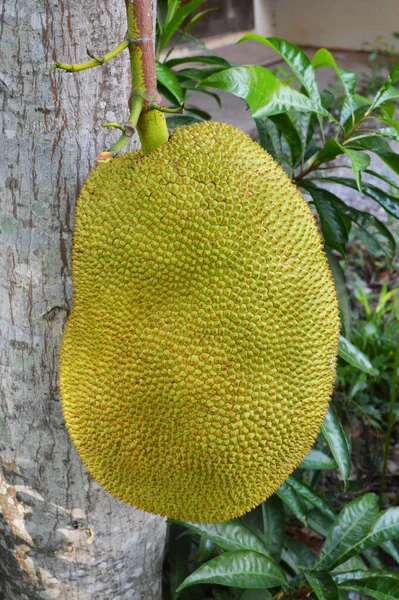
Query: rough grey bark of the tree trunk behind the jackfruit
[[61, 535]]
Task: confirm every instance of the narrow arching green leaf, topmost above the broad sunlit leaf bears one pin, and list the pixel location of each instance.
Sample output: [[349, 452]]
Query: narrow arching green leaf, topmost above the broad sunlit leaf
[[295, 58]]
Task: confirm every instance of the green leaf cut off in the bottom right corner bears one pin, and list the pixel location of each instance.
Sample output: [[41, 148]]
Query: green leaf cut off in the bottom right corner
[[381, 587]]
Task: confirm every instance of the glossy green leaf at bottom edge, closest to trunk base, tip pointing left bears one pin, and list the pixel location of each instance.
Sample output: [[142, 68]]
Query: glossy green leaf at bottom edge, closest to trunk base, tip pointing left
[[240, 568]]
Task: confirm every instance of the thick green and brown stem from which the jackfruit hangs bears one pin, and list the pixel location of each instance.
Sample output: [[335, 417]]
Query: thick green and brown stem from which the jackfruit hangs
[[151, 124]]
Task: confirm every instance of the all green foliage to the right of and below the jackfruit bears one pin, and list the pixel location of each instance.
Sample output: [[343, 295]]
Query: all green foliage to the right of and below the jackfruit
[[300, 543]]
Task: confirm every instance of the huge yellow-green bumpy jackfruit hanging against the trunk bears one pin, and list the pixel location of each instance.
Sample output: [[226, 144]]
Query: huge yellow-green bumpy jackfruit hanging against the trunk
[[199, 358]]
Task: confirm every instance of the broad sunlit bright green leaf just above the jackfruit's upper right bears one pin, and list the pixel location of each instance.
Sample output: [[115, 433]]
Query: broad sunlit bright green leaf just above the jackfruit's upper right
[[265, 94]]
